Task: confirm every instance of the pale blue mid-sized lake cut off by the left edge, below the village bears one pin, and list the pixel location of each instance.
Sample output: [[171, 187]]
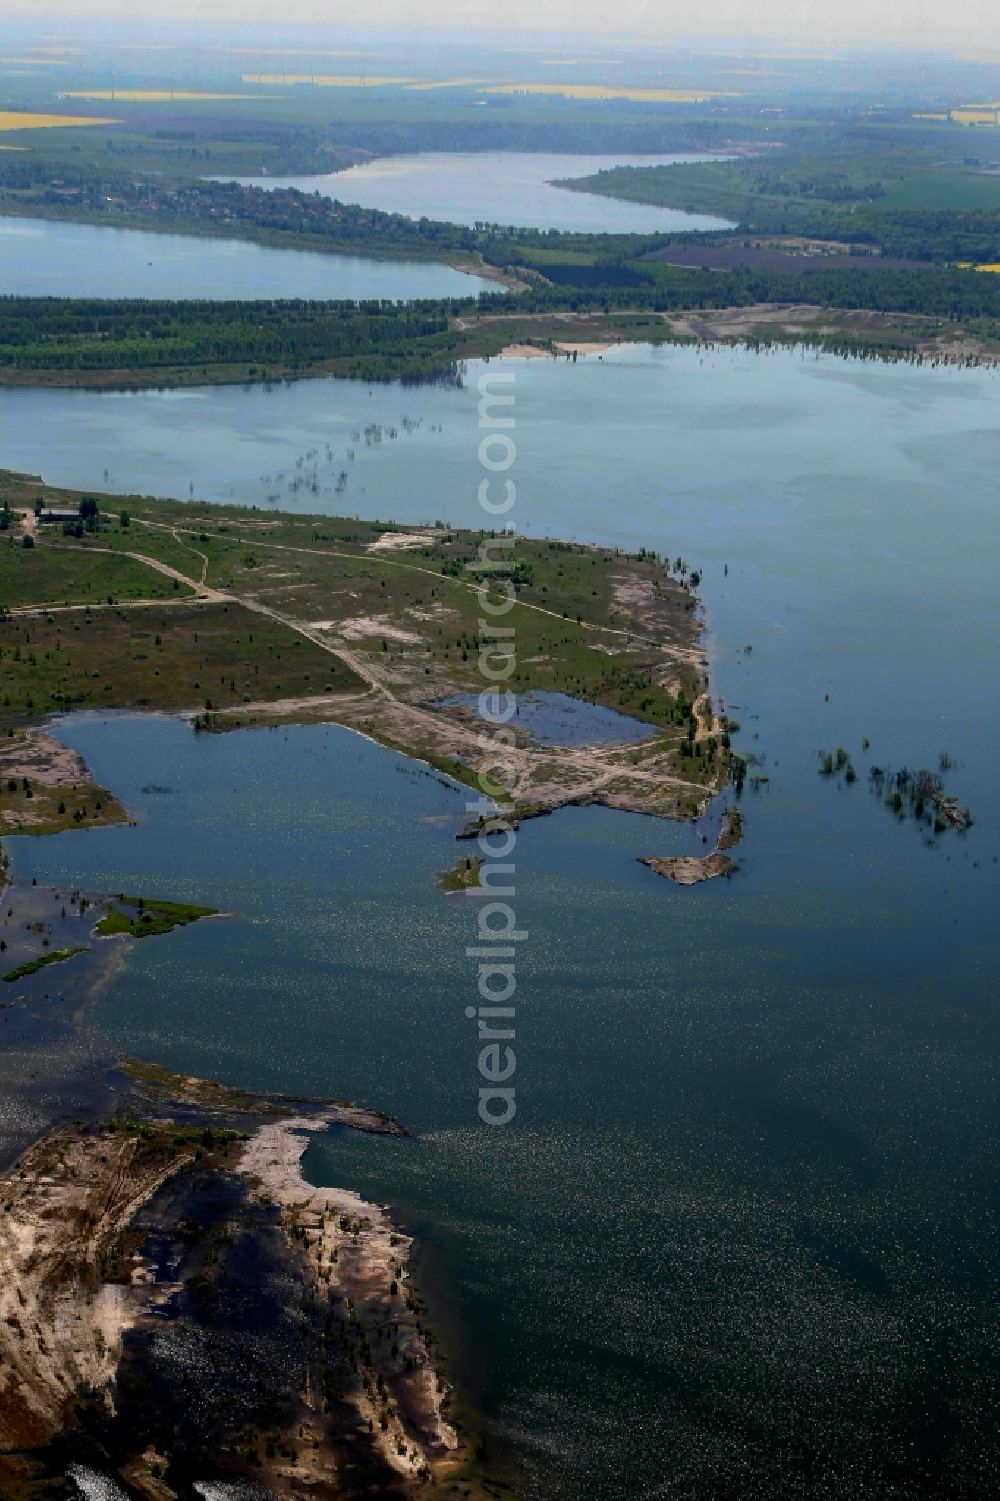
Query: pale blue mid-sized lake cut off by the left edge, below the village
[[47, 259]]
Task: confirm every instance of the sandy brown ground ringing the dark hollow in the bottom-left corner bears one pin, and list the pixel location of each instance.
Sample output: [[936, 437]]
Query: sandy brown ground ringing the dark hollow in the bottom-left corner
[[73, 1283]]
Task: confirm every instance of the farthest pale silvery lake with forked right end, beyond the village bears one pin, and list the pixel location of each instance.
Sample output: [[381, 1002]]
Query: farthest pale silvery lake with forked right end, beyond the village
[[501, 188]]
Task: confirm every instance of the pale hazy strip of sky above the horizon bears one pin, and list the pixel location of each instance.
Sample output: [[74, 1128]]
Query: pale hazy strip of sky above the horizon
[[908, 23]]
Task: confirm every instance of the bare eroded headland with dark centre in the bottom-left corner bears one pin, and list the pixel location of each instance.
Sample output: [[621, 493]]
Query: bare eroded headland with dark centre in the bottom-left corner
[[178, 1307]]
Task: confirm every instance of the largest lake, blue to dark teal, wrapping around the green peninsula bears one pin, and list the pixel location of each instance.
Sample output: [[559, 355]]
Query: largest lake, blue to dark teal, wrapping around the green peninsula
[[738, 1238]]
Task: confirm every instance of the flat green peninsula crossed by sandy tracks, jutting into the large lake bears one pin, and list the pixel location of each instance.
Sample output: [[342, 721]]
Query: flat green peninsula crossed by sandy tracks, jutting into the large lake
[[238, 618]]
